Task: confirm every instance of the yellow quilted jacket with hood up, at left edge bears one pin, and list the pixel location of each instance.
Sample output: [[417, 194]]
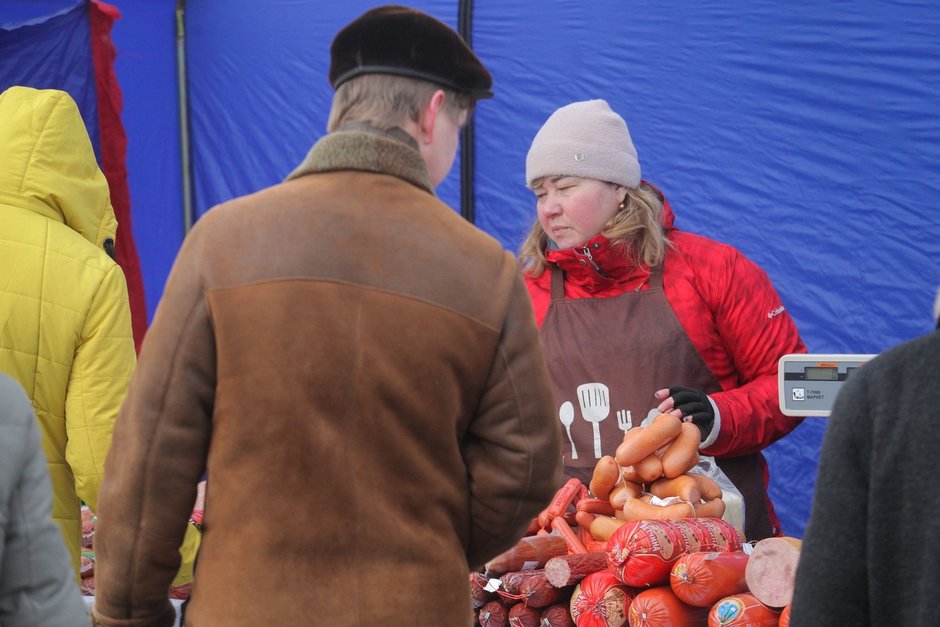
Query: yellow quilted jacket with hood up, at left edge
[[65, 324]]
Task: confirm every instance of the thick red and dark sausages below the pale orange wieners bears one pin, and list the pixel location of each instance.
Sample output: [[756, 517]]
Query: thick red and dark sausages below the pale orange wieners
[[684, 573]]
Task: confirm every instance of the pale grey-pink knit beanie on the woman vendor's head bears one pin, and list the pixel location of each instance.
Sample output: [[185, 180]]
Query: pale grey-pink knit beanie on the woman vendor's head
[[585, 139]]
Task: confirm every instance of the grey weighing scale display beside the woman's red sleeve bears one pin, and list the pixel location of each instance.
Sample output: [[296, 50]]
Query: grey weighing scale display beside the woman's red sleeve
[[808, 383]]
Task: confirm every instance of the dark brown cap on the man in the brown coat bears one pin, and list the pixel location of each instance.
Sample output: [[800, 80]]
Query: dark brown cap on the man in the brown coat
[[394, 39]]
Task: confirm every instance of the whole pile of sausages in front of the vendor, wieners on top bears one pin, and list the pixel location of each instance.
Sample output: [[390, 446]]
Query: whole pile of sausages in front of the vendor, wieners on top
[[644, 545]]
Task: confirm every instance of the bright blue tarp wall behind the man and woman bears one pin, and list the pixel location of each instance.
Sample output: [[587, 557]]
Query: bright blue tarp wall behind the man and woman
[[805, 134]]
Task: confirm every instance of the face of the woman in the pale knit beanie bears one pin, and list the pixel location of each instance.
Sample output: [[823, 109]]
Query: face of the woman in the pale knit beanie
[[572, 210]]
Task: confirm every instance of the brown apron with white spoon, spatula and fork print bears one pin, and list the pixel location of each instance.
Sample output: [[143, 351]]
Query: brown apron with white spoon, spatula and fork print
[[607, 357]]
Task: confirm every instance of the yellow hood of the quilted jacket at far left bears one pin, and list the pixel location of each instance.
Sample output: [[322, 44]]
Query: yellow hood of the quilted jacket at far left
[[47, 163]]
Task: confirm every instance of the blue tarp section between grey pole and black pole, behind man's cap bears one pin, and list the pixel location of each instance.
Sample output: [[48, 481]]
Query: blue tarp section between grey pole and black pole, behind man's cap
[[275, 121]]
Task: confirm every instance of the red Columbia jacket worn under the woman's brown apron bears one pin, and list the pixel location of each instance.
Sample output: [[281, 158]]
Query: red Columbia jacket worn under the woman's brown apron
[[729, 309]]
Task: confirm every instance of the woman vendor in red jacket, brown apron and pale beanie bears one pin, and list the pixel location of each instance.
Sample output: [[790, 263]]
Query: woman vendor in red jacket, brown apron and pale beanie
[[638, 317]]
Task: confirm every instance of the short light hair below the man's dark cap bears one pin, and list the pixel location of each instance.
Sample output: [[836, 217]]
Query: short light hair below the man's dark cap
[[386, 101]]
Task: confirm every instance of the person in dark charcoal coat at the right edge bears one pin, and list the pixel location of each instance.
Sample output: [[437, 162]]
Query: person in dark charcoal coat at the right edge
[[870, 554]]
